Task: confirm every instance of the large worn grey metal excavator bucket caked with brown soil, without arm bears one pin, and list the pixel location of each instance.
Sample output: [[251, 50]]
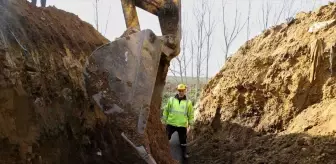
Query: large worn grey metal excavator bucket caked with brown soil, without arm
[[120, 78]]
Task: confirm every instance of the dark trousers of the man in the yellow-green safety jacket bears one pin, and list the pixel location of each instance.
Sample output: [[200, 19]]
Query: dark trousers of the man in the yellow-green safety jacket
[[182, 132]]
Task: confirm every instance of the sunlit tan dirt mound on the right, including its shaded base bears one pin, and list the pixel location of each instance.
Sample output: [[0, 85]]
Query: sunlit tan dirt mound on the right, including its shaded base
[[274, 100]]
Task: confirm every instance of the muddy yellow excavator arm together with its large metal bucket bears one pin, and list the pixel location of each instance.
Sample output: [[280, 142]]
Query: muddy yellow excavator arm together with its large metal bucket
[[125, 78]]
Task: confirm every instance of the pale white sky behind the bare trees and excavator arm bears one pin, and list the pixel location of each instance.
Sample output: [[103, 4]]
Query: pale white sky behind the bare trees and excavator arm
[[112, 24]]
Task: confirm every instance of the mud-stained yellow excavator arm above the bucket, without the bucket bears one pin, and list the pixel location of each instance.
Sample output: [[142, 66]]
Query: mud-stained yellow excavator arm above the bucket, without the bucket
[[169, 14]]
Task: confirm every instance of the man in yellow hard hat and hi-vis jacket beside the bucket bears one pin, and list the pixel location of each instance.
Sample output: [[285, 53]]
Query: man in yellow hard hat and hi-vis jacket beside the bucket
[[178, 115]]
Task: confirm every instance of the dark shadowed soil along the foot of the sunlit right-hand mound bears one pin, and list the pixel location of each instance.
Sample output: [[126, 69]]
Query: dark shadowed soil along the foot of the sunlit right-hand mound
[[235, 144]]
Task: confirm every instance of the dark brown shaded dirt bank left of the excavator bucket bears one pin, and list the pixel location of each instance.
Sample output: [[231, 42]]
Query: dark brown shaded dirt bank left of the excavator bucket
[[45, 115]]
